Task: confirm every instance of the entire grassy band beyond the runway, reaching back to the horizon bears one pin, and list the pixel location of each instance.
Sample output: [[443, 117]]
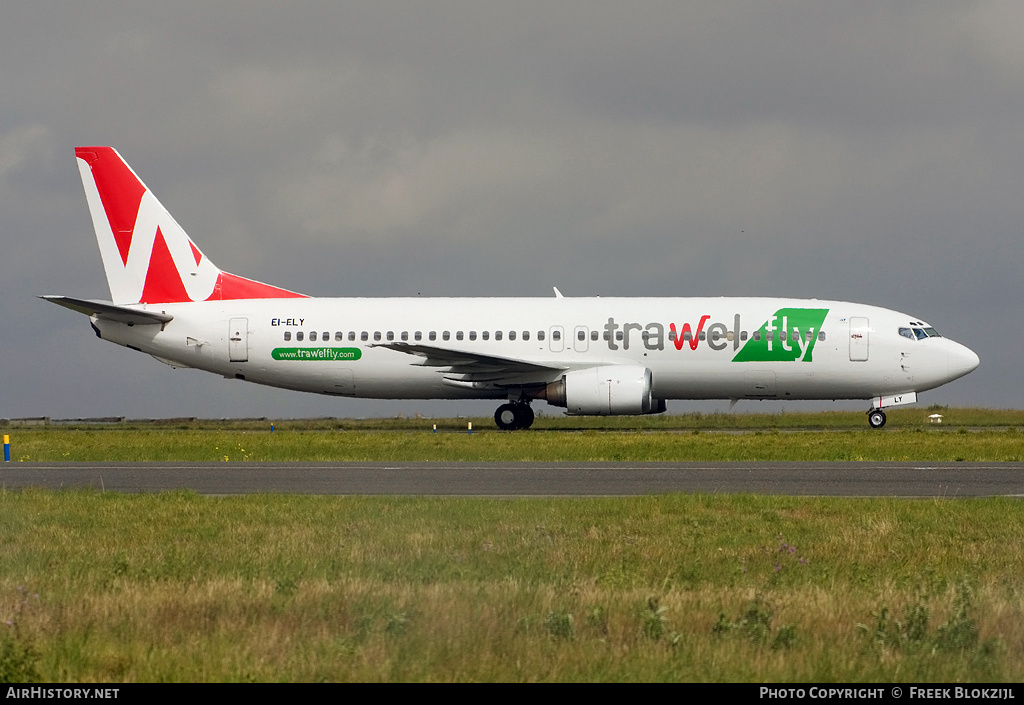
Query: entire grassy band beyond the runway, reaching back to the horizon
[[969, 435]]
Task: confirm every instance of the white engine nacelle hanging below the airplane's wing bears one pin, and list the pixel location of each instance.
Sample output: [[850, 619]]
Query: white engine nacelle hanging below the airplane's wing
[[608, 391]]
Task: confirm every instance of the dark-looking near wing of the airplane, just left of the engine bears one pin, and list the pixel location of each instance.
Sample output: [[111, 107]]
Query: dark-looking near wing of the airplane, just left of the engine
[[474, 367]]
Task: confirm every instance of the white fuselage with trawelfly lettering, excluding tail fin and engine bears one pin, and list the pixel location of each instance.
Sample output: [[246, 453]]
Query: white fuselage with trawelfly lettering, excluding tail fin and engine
[[695, 348]]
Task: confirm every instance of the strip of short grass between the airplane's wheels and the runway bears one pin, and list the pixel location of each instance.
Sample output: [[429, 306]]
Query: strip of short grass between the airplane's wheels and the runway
[[916, 444]]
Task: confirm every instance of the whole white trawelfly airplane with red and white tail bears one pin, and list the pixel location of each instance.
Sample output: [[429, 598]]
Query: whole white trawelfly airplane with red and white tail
[[589, 356]]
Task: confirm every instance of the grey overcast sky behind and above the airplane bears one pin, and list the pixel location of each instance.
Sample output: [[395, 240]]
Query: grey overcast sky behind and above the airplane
[[857, 151]]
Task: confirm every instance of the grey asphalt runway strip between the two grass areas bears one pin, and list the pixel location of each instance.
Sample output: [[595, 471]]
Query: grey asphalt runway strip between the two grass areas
[[953, 480]]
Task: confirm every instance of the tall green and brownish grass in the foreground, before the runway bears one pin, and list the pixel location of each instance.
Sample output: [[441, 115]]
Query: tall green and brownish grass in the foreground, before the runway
[[178, 587]]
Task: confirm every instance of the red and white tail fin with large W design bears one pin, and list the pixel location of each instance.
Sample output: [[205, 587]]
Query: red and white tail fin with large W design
[[149, 259]]
